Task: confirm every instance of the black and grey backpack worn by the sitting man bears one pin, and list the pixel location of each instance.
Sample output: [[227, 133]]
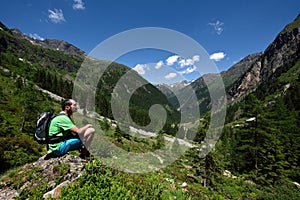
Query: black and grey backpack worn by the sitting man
[[41, 132]]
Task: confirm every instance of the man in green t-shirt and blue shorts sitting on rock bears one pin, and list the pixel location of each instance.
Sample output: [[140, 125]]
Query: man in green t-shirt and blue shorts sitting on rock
[[73, 137]]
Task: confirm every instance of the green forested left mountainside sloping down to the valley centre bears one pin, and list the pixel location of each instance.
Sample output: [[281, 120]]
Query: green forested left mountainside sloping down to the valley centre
[[53, 64]]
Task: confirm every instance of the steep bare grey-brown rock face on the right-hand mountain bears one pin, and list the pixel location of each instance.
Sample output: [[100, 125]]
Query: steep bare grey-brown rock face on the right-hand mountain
[[283, 50]]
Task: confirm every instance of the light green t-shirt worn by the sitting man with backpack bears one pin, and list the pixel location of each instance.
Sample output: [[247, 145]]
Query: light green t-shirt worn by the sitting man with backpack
[[59, 123]]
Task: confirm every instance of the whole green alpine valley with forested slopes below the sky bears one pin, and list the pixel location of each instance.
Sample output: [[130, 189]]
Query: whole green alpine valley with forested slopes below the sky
[[256, 157]]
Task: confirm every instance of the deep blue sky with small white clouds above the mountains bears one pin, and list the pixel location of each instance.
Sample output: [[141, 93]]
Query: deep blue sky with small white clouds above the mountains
[[227, 30]]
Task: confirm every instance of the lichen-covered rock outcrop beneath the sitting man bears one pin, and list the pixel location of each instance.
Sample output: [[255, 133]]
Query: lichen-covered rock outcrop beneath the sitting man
[[53, 174]]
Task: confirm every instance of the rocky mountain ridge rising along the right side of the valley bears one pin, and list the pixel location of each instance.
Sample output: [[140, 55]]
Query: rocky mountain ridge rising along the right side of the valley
[[246, 75]]
